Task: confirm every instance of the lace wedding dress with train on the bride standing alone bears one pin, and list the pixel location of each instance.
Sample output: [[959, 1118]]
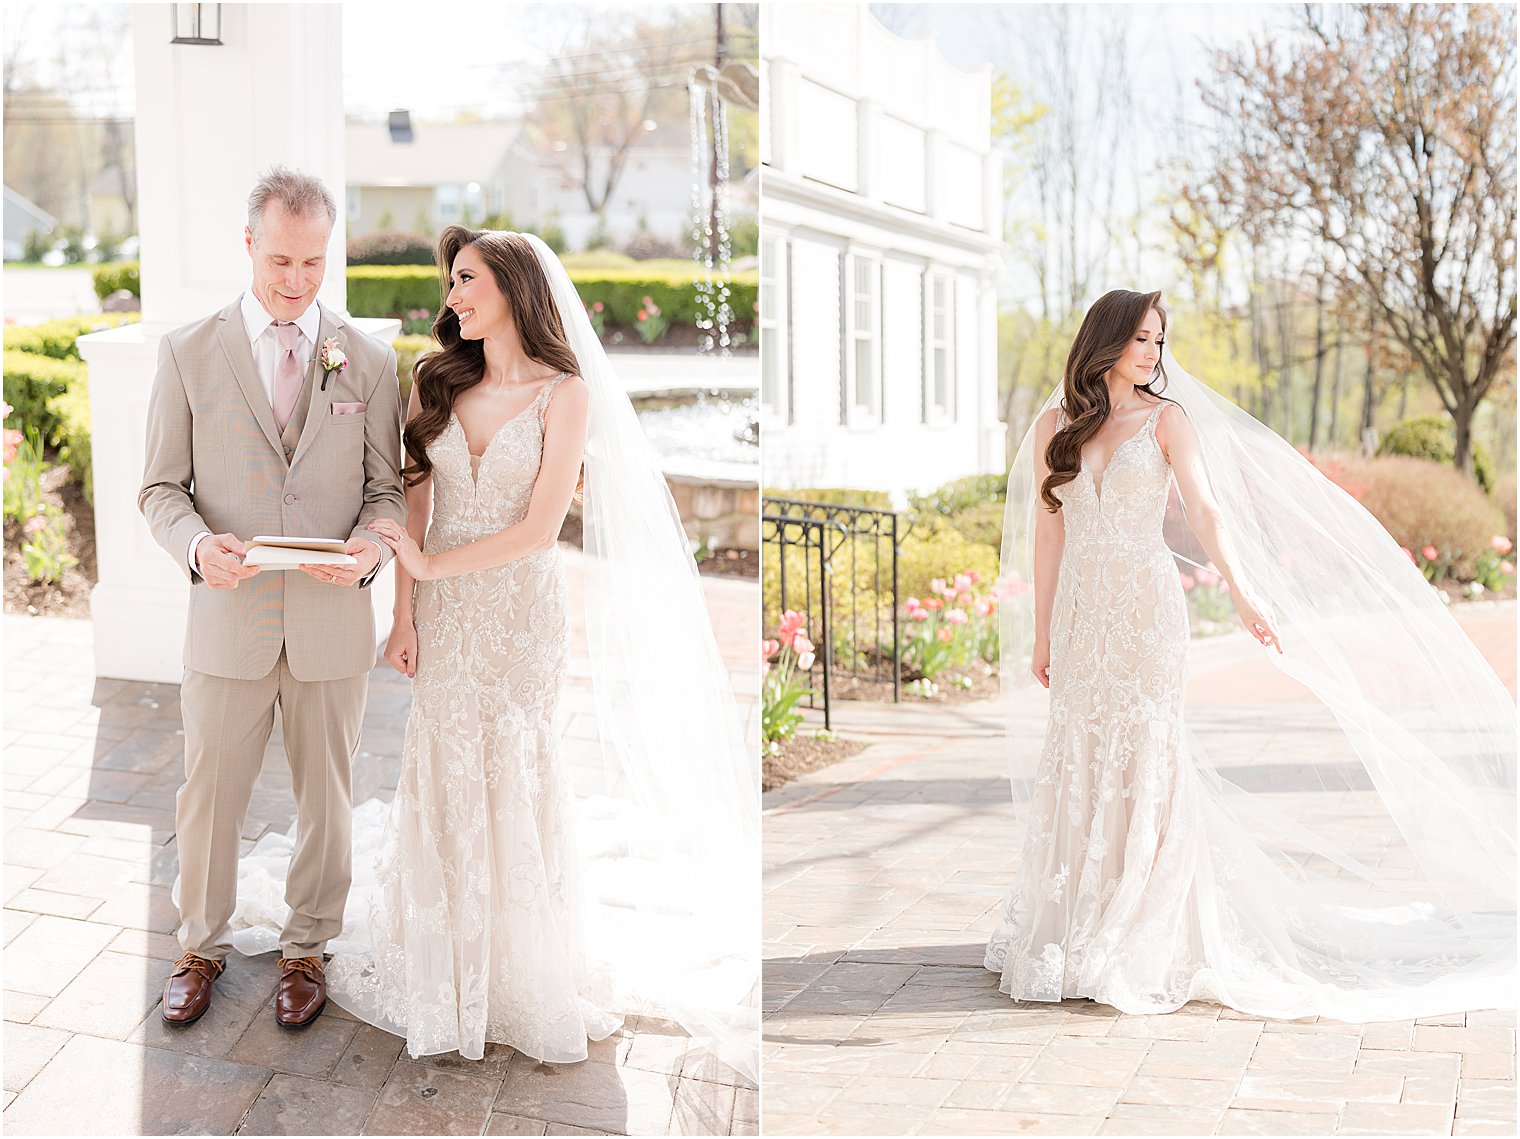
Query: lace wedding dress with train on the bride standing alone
[[1139, 886]]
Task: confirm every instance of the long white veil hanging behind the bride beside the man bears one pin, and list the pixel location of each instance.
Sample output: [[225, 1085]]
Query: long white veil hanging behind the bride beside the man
[[674, 866]]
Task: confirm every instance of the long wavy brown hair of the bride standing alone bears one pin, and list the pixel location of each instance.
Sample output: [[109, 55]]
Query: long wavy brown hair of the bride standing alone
[[1104, 337]]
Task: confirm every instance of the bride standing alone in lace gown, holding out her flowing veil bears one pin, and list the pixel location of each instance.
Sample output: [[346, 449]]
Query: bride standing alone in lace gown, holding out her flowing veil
[[1372, 884]]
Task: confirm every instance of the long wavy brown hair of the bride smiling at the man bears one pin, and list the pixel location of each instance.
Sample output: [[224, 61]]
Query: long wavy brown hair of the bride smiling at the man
[[460, 364]]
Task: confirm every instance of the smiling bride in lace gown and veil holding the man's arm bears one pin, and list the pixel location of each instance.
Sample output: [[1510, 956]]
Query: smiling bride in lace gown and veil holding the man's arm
[[486, 921]]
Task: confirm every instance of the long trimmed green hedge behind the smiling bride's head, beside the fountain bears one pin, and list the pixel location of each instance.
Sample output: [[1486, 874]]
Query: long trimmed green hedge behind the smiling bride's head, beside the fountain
[[397, 290]]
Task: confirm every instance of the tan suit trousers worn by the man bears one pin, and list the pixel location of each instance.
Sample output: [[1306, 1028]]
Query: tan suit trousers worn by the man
[[227, 731]]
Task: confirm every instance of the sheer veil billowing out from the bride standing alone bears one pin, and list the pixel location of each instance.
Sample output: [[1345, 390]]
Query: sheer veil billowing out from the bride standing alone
[[1398, 805]]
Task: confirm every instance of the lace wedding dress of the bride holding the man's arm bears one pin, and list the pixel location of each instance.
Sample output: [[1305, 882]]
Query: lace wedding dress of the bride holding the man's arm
[[463, 924]]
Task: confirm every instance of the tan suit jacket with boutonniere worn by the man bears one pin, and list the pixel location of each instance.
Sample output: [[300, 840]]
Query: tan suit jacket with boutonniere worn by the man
[[217, 463]]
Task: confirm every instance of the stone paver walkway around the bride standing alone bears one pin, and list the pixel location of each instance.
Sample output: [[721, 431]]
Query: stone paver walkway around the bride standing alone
[[882, 880]]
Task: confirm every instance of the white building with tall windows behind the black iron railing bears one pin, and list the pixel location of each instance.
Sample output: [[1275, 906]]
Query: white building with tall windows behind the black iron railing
[[881, 230]]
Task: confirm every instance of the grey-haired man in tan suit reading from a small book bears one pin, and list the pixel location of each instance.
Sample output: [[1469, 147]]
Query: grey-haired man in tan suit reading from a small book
[[252, 433]]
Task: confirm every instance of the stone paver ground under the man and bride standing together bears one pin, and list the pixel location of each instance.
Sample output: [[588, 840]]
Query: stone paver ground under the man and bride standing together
[[90, 776]]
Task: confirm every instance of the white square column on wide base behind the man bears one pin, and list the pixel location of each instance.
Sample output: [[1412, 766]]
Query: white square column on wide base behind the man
[[211, 119]]
